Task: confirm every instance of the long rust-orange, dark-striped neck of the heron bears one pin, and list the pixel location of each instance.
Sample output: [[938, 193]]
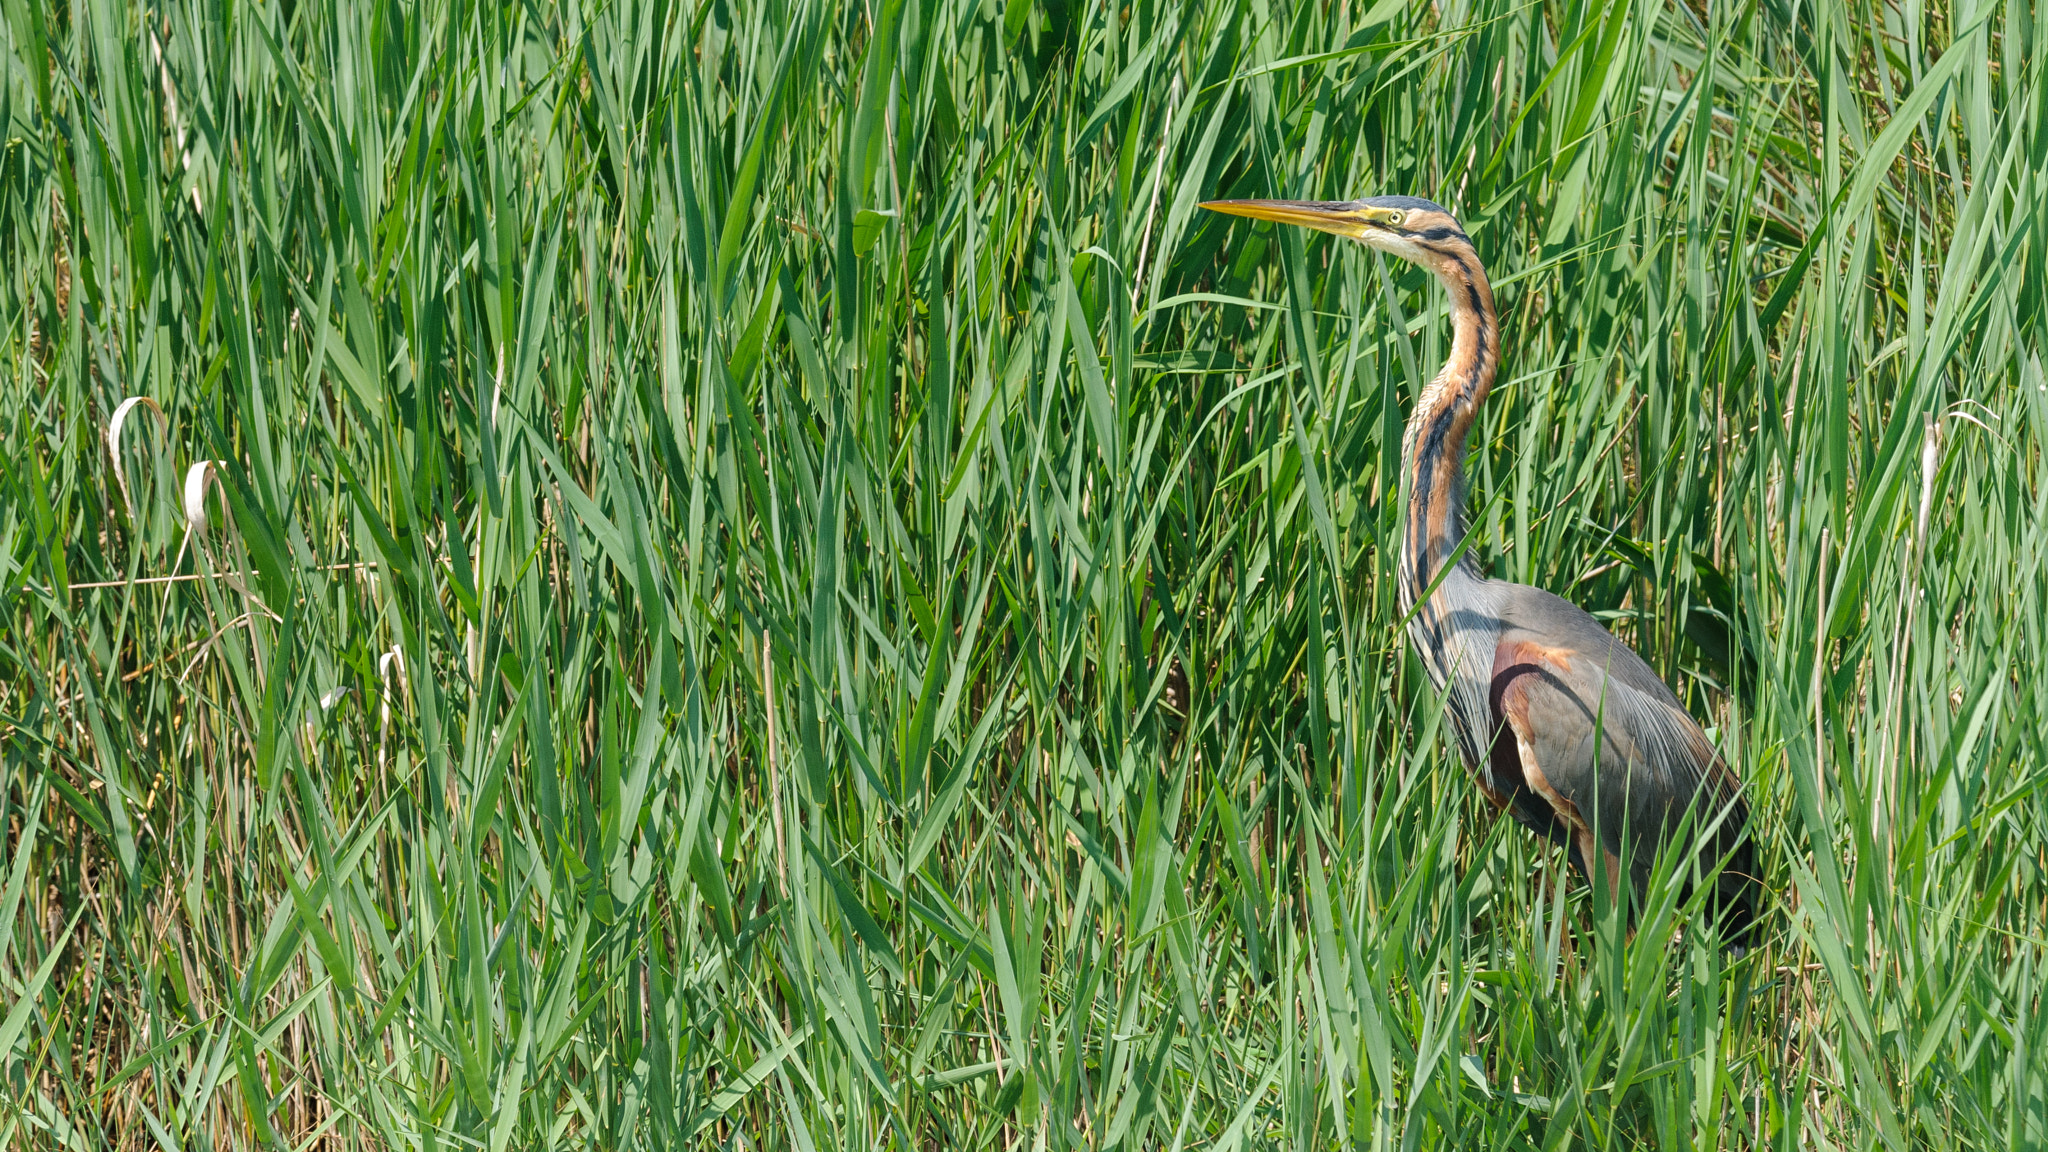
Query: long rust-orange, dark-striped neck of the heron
[[1433, 452]]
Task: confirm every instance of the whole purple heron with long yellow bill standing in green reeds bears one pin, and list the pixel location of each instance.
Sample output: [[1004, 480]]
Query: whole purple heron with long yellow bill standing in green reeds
[[1560, 723]]
